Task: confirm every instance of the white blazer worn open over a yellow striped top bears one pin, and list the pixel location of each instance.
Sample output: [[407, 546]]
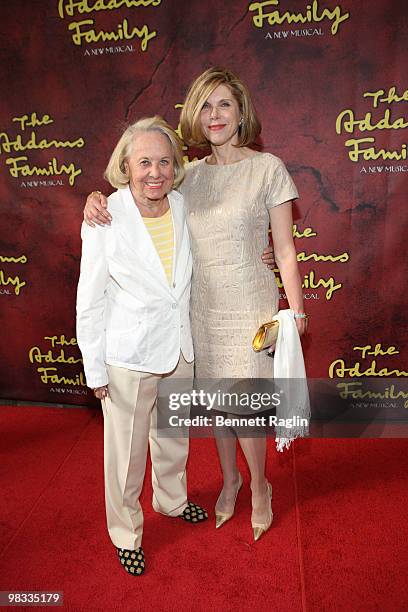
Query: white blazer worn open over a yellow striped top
[[127, 313]]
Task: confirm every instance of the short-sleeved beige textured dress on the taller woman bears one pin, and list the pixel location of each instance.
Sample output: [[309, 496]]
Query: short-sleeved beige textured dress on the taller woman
[[233, 292]]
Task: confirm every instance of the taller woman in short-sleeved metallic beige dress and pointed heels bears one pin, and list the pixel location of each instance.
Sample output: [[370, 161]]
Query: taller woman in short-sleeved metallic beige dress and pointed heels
[[232, 196]]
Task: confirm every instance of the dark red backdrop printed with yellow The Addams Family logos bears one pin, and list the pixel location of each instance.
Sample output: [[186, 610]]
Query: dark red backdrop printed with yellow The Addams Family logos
[[327, 80]]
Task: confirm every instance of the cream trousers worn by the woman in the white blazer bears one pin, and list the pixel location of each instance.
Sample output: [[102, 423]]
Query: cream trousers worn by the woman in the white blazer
[[130, 418]]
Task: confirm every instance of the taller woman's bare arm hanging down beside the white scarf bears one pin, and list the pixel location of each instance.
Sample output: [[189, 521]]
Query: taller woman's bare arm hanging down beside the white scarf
[[285, 257]]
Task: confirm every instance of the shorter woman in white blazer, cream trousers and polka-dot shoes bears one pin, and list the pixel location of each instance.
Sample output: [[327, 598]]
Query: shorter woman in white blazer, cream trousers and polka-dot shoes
[[134, 332]]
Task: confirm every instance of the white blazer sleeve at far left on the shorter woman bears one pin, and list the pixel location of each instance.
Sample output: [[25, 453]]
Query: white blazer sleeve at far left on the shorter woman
[[91, 302]]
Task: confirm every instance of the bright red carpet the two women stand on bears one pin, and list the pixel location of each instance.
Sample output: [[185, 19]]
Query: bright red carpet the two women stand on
[[338, 541]]
